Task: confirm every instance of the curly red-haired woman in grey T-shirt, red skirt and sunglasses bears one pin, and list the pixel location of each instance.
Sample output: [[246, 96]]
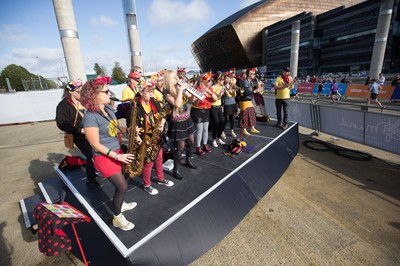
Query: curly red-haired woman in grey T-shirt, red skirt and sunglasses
[[101, 128]]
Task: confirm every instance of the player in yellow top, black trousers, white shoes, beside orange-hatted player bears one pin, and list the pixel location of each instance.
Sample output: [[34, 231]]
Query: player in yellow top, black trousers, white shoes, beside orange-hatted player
[[216, 114]]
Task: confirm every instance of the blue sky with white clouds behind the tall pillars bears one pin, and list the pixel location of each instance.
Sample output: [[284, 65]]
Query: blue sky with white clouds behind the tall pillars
[[29, 35]]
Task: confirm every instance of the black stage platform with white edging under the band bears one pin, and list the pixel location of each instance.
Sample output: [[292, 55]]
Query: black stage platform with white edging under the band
[[182, 222]]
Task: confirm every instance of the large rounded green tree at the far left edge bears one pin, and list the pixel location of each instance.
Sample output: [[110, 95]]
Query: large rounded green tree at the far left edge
[[15, 74]]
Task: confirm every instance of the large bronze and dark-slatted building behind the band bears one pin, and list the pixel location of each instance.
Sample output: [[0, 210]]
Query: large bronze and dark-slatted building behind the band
[[260, 34]]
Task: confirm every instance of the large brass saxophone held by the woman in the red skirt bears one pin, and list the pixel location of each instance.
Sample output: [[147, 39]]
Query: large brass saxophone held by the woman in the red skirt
[[135, 167]]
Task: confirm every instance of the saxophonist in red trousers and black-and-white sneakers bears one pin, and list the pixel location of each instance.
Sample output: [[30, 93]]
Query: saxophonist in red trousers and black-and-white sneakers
[[149, 116]]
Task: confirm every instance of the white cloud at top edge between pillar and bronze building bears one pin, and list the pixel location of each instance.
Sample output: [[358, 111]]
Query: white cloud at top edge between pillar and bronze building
[[178, 14]]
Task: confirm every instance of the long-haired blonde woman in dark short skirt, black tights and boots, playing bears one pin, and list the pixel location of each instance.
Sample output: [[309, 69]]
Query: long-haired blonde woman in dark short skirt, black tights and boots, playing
[[180, 127]]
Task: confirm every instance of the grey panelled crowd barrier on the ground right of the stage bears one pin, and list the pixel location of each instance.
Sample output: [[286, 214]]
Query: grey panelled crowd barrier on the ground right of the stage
[[375, 129]]
